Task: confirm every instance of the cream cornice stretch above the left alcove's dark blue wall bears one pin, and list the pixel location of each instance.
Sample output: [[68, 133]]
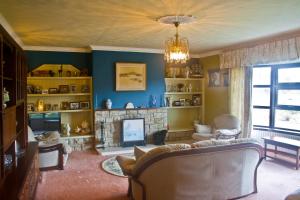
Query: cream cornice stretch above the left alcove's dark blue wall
[[58, 49]]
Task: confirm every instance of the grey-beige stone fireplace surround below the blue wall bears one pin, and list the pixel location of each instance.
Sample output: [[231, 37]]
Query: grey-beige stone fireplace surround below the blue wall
[[155, 120]]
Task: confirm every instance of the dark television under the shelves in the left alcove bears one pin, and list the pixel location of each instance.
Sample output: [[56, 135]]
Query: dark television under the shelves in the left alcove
[[43, 122]]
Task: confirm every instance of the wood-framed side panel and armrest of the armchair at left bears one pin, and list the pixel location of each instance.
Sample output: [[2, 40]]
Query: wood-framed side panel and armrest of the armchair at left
[[51, 157]]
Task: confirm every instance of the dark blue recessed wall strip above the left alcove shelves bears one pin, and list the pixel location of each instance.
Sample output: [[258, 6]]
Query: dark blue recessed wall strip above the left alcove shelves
[[79, 60]]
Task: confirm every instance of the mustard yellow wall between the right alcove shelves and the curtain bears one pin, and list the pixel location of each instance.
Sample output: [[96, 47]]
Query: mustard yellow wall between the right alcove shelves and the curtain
[[216, 98]]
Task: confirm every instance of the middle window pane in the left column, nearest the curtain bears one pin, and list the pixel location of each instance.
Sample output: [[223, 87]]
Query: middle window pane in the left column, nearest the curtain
[[261, 96]]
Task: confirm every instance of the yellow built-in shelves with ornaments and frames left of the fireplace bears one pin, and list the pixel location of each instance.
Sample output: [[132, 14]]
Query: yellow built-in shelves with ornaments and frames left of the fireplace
[[69, 95]]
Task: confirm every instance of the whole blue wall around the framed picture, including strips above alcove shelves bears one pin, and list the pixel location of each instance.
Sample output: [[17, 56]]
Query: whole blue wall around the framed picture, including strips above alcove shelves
[[101, 65]]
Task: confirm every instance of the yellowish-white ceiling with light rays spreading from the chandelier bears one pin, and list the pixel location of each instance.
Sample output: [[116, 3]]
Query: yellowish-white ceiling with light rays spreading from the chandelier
[[132, 23]]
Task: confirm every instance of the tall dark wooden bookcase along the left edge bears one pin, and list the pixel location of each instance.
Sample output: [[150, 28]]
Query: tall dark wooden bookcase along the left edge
[[16, 155]]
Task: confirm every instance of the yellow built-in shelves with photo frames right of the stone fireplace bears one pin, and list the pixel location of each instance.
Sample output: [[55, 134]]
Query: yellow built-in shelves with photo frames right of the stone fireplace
[[185, 102]]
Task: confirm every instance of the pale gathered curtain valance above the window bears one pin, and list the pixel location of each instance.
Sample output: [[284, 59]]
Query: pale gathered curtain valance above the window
[[271, 52]]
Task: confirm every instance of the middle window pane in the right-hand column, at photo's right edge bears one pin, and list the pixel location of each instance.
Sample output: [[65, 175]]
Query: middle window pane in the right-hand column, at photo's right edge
[[289, 97]]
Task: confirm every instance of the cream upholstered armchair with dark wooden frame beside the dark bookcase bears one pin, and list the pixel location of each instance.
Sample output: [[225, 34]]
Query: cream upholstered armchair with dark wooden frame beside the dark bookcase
[[53, 153]]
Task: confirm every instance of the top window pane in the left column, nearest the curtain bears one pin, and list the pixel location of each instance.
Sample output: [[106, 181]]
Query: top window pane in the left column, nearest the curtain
[[261, 76]]
